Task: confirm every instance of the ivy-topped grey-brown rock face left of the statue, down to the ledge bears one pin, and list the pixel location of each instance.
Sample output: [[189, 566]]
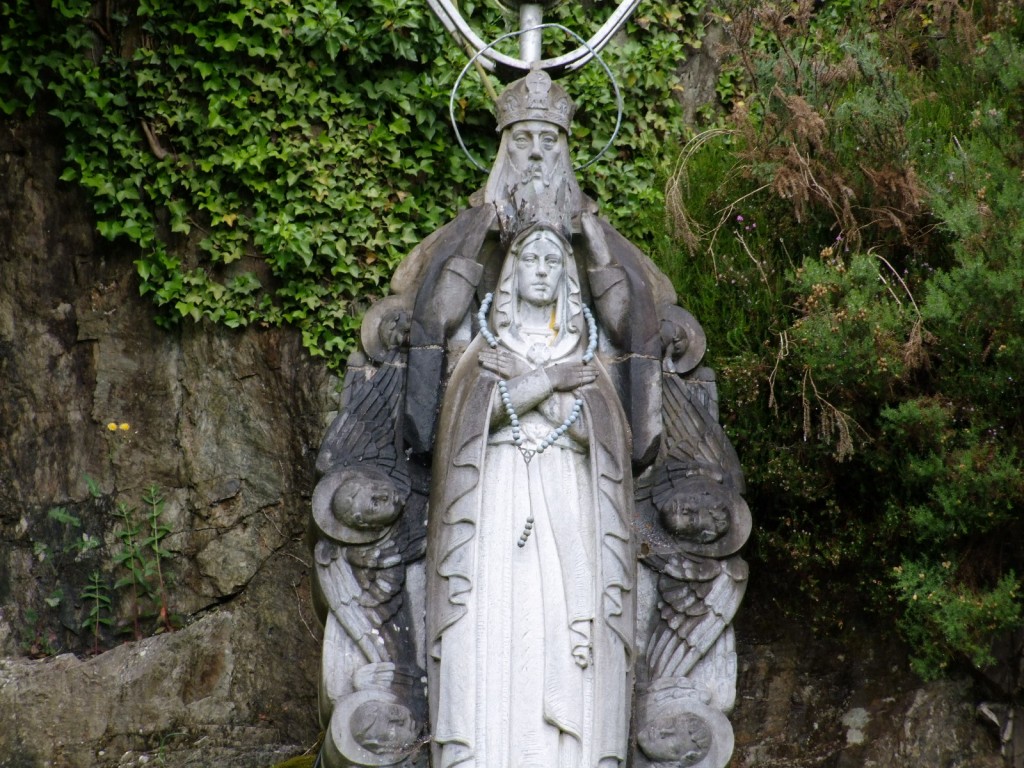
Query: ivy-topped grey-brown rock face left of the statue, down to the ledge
[[227, 424]]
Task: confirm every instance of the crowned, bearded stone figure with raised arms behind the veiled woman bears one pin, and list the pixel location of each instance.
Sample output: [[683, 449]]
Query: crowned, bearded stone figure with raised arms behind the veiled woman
[[445, 278]]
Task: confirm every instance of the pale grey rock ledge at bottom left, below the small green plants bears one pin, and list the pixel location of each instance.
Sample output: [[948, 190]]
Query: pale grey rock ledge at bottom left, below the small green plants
[[220, 687]]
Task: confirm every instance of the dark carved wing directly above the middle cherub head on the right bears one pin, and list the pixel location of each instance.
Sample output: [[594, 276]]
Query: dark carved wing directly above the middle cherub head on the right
[[696, 443]]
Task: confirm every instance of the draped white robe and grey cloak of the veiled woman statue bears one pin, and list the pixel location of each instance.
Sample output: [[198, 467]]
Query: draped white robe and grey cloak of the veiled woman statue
[[503, 621]]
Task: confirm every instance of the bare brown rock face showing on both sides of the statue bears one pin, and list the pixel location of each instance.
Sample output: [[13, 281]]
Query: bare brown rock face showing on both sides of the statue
[[227, 425]]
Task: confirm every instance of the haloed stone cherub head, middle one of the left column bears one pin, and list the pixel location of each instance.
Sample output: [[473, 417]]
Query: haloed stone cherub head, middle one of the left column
[[358, 505]]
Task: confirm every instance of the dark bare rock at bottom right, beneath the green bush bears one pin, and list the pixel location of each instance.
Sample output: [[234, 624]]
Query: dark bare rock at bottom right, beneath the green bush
[[847, 701]]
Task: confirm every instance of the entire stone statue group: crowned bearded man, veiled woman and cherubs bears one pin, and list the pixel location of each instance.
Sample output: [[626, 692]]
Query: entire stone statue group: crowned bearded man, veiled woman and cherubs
[[528, 450]]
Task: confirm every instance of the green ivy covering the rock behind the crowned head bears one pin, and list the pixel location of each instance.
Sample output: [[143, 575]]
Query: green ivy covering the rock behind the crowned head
[[273, 162]]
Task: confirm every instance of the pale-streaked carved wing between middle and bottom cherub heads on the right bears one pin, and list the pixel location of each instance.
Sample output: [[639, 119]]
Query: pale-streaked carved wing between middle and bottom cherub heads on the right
[[699, 600]]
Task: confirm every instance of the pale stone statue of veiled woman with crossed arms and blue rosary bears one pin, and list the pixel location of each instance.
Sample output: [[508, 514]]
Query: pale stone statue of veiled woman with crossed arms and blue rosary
[[531, 563]]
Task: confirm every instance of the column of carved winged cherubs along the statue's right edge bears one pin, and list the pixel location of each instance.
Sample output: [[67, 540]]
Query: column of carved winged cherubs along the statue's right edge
[[693, 521]]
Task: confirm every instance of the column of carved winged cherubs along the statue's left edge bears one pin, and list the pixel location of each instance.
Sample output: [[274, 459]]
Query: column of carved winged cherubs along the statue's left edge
[[368, 527]]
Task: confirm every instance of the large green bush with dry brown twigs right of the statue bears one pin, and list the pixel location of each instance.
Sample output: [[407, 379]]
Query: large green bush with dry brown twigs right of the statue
[[873, 390]]
